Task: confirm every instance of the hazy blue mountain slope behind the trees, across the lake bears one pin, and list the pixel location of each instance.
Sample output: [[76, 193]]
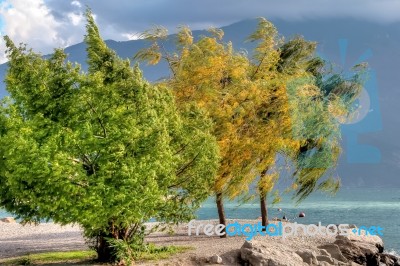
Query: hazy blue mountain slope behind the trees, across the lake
[[371, 146]]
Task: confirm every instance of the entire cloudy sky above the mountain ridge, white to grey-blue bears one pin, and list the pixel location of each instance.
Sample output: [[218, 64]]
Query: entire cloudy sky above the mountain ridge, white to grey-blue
[[48, 24]]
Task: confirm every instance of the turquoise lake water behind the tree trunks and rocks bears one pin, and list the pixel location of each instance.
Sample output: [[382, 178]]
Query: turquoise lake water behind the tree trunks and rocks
[[368, 207]]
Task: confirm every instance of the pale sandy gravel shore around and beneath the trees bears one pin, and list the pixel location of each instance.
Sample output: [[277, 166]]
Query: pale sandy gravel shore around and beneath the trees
[[16, 240]]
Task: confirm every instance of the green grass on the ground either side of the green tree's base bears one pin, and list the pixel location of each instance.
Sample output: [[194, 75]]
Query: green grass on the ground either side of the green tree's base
[[89, 256]]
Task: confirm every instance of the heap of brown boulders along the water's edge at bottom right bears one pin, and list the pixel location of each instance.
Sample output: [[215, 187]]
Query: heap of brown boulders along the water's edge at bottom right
[[352, 250]]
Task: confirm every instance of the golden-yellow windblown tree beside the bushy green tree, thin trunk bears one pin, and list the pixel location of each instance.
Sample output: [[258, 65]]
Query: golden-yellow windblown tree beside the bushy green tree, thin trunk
[[246, 111]]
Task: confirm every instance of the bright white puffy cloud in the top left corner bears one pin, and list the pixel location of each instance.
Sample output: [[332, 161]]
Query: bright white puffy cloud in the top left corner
[[34, 23]]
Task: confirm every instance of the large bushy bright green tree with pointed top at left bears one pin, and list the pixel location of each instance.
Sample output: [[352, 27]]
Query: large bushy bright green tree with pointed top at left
[[103, 149]]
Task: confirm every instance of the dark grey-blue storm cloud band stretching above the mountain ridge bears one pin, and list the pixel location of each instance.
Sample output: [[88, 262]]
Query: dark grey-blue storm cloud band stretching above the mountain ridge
[[128, 15]]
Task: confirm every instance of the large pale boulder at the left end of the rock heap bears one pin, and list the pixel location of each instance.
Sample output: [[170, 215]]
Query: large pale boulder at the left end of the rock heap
[[256, 254]]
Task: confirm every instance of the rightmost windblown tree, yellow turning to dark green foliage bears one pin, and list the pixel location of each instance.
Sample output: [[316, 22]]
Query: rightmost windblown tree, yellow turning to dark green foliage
[[310, 128]]
